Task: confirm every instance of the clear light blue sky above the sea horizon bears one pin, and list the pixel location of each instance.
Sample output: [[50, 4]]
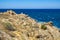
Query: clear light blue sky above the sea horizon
[[29, 4]]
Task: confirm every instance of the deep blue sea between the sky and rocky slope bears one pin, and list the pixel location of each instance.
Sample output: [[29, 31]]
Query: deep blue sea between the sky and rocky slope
[[41, 15]]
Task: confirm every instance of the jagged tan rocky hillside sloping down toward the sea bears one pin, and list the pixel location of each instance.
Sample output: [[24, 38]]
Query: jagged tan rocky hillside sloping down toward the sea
[[22, 27]]
